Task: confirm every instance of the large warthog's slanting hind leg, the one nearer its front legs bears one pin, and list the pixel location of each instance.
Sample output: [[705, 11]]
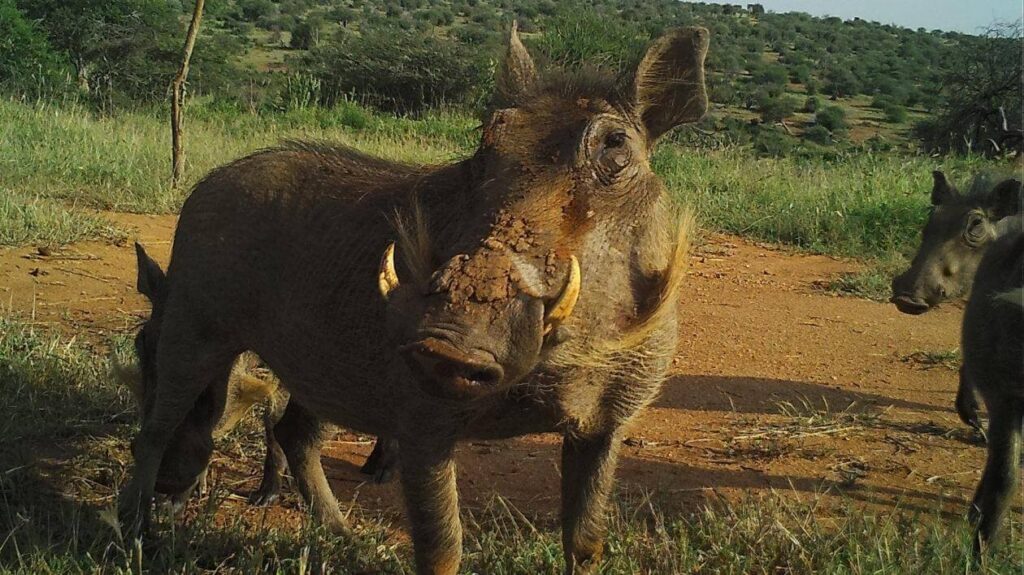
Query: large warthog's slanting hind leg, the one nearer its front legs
[[301, 435]]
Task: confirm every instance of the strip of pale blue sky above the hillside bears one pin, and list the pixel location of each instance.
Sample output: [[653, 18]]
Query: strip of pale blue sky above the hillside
[[970, 17]]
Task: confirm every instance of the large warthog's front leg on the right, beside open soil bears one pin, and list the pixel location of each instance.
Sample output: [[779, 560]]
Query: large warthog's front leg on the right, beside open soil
[[588, 473]]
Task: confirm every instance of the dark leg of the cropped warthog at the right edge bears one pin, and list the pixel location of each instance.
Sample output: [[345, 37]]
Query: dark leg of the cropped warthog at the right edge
[[1002, 470]]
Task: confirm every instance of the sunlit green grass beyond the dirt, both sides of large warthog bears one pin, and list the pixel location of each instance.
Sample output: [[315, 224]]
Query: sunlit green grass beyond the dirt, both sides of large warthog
[[60, 156]]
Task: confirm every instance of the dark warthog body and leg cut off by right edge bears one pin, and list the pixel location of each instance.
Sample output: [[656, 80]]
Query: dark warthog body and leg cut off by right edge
[[994, 365]]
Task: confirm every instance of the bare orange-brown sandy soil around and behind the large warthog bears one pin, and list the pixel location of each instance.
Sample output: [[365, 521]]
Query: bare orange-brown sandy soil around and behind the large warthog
[[779, 386]]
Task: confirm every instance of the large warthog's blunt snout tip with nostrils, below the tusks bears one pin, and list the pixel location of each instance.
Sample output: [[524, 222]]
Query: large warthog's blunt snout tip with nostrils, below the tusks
[[450, 373]]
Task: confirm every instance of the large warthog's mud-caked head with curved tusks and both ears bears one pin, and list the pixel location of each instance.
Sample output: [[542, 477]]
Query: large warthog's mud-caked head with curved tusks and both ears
[[556, 208]]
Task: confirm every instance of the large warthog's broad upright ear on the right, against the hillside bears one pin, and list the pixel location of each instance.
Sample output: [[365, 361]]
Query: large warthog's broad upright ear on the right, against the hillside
[[669, 90]]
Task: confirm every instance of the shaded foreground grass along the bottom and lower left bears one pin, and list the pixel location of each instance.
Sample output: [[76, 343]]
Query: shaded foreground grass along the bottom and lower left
[[64, 450]]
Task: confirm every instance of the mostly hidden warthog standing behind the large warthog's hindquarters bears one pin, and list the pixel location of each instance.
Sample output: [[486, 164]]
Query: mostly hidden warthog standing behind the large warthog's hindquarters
[[249, 384]]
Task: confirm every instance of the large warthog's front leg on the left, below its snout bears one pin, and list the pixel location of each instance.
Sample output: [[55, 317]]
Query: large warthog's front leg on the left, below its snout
[[433, 504]]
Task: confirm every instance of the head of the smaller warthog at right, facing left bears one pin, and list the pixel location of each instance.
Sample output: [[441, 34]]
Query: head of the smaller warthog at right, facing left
[[959, 231]]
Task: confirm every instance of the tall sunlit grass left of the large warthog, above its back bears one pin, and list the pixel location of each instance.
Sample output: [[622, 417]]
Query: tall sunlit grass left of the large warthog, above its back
[[122, 163]]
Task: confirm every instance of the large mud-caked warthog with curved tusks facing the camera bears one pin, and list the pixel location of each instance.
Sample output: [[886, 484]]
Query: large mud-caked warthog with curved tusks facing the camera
[[531, 288]]
